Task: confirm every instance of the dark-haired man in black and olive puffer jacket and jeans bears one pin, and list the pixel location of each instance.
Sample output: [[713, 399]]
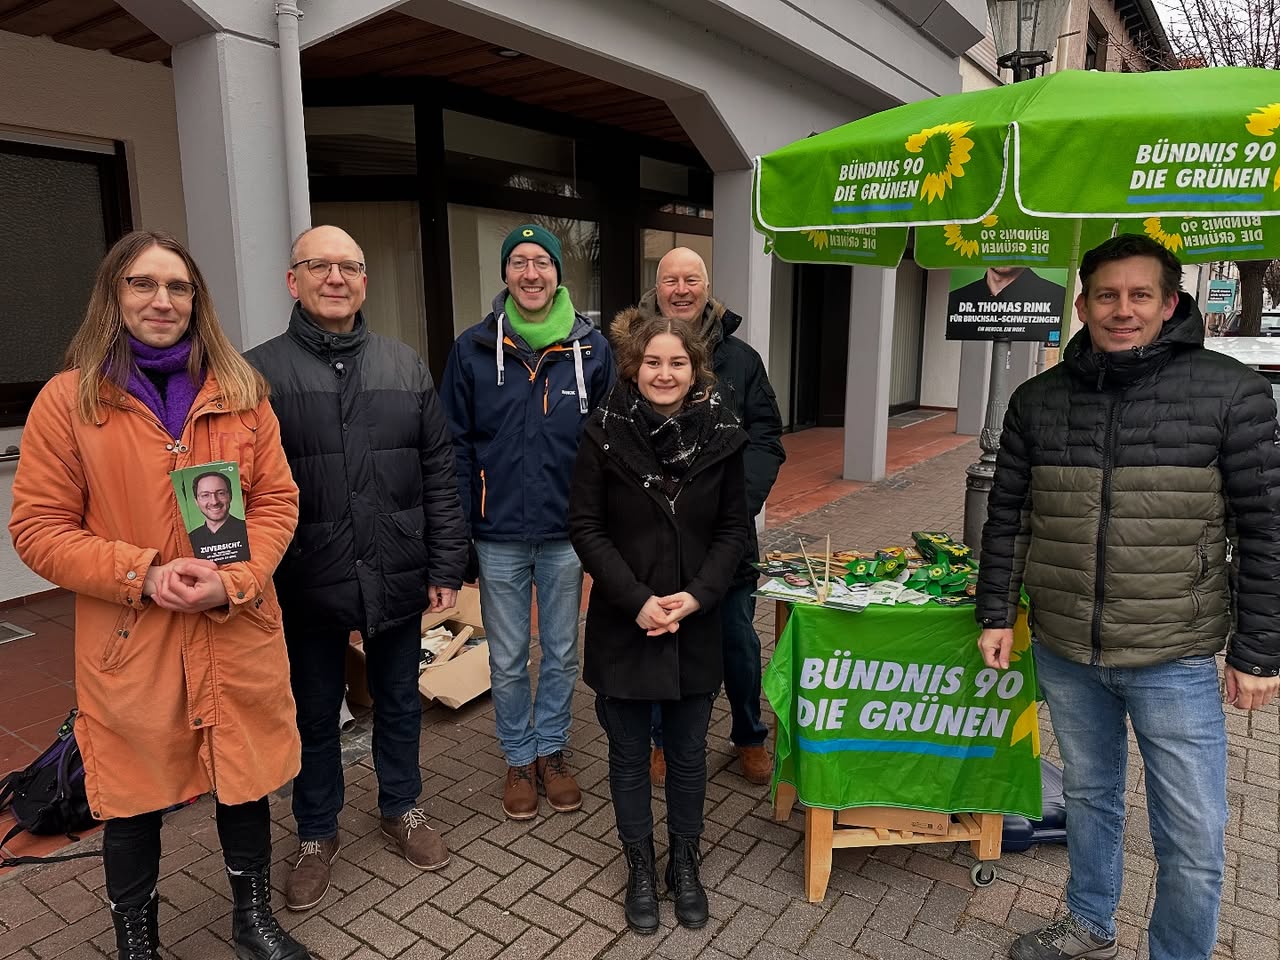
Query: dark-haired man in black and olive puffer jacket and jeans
[[1117, 476]]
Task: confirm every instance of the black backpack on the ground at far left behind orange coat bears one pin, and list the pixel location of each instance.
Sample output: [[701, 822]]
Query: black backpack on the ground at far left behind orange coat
[[48, 798]]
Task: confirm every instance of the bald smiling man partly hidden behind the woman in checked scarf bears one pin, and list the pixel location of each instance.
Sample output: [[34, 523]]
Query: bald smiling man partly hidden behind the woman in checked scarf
[[683, 292]]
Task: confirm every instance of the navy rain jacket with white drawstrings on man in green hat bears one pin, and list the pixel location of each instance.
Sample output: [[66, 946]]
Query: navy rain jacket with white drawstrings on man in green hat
[[516, 419]]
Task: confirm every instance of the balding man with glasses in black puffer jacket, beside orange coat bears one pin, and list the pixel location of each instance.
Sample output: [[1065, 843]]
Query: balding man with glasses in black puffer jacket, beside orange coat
[[381, 538]]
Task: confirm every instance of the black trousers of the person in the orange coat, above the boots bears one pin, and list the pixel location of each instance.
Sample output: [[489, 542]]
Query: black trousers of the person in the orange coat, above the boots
[[131, 849]]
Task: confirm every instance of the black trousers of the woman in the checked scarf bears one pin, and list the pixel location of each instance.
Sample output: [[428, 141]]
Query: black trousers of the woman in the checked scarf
[[684, 724]]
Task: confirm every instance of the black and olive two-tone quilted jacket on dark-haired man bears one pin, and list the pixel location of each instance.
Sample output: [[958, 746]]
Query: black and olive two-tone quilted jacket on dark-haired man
[[1114, 484]]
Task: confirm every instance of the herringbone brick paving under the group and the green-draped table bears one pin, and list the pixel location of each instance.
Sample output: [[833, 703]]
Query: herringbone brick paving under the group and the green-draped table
[[554, 886]]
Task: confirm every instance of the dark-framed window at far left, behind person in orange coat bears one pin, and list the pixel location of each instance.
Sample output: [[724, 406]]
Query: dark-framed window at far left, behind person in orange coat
[[61, 209]]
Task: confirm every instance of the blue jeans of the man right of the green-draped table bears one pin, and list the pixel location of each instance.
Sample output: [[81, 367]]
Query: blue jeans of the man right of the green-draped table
[[1177, 715]]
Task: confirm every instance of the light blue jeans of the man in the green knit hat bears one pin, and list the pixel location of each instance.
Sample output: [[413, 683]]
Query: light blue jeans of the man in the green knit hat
[[509, 574]]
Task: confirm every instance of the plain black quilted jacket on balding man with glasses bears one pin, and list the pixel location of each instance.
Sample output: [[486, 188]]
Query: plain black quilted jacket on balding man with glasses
[[380, 516]]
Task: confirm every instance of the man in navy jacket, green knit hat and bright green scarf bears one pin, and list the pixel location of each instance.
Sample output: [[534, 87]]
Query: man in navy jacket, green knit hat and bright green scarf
[[518, 390]]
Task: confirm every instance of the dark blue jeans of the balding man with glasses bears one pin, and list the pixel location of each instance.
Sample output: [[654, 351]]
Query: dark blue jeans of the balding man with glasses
[[318, 661]]
